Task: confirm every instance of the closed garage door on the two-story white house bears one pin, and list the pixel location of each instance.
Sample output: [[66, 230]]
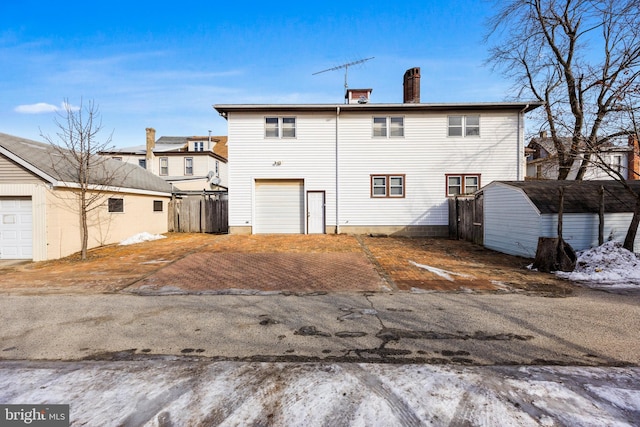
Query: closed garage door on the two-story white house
[[279, 206]]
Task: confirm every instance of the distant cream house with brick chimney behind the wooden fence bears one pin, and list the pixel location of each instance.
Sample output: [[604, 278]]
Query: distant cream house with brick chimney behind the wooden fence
[[191, 164]]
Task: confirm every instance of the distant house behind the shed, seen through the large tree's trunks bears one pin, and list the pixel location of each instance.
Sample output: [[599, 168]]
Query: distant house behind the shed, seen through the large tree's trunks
[[542, 159]]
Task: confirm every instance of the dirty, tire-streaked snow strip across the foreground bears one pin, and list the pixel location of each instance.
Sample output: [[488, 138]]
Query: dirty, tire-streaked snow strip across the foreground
[[175, 392]]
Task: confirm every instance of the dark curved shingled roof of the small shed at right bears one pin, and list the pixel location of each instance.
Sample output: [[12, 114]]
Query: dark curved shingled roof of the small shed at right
[[579, 196]]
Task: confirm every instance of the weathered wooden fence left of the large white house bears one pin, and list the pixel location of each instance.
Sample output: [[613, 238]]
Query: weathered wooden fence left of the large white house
[[199, 215]]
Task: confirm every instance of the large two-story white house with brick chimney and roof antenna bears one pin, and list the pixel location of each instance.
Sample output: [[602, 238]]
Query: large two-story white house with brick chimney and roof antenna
[[366, 168]]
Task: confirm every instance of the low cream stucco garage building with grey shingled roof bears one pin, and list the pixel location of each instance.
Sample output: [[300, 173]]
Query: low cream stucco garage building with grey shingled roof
[[39, 208]]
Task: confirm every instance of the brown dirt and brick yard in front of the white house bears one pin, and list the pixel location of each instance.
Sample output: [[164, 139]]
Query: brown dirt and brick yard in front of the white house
[[355, 263]]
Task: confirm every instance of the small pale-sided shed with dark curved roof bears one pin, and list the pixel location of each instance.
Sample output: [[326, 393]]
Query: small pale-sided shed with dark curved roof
[[517, 213]]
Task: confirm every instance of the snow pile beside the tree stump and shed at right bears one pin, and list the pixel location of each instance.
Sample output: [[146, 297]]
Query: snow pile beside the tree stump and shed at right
[[606, 266]]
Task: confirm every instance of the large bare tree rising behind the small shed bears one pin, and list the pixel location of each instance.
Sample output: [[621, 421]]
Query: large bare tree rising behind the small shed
[[582, 58]]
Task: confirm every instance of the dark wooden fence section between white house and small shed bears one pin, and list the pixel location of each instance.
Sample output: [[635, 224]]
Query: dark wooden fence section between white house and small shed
[[466, 219]]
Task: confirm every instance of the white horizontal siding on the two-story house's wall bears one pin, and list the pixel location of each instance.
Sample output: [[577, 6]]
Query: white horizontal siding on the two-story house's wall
[[424, 156]]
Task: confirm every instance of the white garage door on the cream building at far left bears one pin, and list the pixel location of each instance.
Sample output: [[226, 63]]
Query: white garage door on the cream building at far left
[[16, 228]]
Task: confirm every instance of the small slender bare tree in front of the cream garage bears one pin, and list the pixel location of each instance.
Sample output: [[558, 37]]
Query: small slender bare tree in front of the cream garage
[[77, 162]]
